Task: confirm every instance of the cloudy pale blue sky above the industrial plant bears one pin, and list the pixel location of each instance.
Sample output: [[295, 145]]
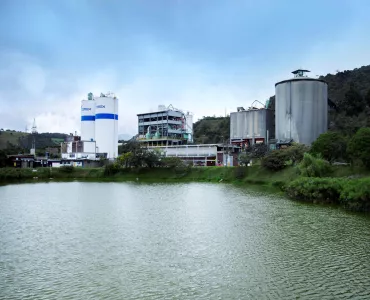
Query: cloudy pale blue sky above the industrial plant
[[203, 56]]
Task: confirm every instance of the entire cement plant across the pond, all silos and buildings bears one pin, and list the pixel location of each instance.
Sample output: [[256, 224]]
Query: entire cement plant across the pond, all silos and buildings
[[300, 115]]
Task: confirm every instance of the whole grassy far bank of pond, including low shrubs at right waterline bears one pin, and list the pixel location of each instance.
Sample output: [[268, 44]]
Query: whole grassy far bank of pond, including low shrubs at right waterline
[[342, 188]]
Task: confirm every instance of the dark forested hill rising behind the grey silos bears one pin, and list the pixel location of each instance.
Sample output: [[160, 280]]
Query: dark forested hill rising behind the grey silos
[[349, 90]]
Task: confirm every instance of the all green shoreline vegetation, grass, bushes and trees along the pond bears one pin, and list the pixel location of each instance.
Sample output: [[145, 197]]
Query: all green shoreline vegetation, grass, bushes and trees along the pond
[[302, 173]]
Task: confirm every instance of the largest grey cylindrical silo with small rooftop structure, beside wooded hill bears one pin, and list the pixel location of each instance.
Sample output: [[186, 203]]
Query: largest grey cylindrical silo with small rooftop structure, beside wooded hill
[[301, 108]]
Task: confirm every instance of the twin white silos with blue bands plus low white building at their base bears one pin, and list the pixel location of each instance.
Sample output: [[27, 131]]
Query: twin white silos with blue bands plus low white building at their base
[[99, 130]]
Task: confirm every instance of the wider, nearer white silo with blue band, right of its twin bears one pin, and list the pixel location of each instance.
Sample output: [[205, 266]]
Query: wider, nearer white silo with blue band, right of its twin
[[106, 125]]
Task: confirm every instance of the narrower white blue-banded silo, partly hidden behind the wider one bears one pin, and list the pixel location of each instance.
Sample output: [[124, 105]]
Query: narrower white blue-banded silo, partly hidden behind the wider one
[[88, 120]]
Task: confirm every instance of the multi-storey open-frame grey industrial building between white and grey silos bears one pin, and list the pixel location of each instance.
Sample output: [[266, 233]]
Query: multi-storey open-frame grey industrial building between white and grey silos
[[166, 127]]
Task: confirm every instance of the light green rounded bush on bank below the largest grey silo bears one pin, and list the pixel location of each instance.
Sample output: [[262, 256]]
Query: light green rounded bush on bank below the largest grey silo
[[312, 166]]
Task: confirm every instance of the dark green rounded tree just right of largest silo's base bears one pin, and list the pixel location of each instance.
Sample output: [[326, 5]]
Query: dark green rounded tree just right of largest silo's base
[[330, 145]]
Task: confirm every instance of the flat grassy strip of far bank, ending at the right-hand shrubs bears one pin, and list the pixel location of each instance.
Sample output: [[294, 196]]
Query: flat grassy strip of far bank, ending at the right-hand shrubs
[[255, 175]]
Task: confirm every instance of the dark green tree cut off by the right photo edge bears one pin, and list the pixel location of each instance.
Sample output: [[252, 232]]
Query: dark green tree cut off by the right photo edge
[[359, 147]]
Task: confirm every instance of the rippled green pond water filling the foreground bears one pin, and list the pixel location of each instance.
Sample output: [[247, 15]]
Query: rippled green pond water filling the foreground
[[176, 241]]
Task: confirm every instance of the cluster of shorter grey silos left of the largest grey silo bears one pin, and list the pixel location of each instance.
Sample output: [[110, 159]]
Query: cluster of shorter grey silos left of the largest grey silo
[[251, 126]]
